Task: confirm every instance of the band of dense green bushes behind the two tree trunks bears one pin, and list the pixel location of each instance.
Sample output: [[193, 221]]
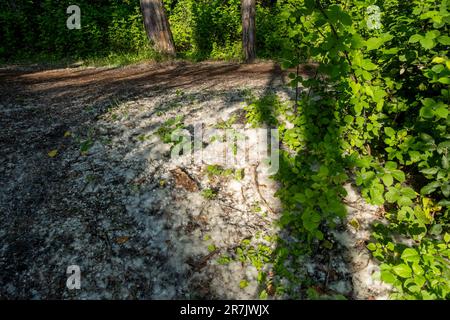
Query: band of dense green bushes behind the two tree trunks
[[201, 29]]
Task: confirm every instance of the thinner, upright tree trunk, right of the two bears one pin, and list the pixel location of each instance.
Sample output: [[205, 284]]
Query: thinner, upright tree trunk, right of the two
[[248, 8]]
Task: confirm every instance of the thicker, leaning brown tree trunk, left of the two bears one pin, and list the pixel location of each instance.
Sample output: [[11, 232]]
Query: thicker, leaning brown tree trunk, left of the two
[[157, 26]]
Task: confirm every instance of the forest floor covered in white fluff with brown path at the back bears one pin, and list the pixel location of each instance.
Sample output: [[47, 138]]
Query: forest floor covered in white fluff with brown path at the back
[[87, 179]]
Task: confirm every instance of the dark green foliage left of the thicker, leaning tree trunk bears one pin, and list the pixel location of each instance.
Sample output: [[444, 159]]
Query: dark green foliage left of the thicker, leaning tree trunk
[[37, 30]]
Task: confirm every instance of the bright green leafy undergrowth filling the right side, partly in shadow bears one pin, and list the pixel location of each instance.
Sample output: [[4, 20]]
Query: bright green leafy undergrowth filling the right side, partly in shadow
[[377, 109]]
